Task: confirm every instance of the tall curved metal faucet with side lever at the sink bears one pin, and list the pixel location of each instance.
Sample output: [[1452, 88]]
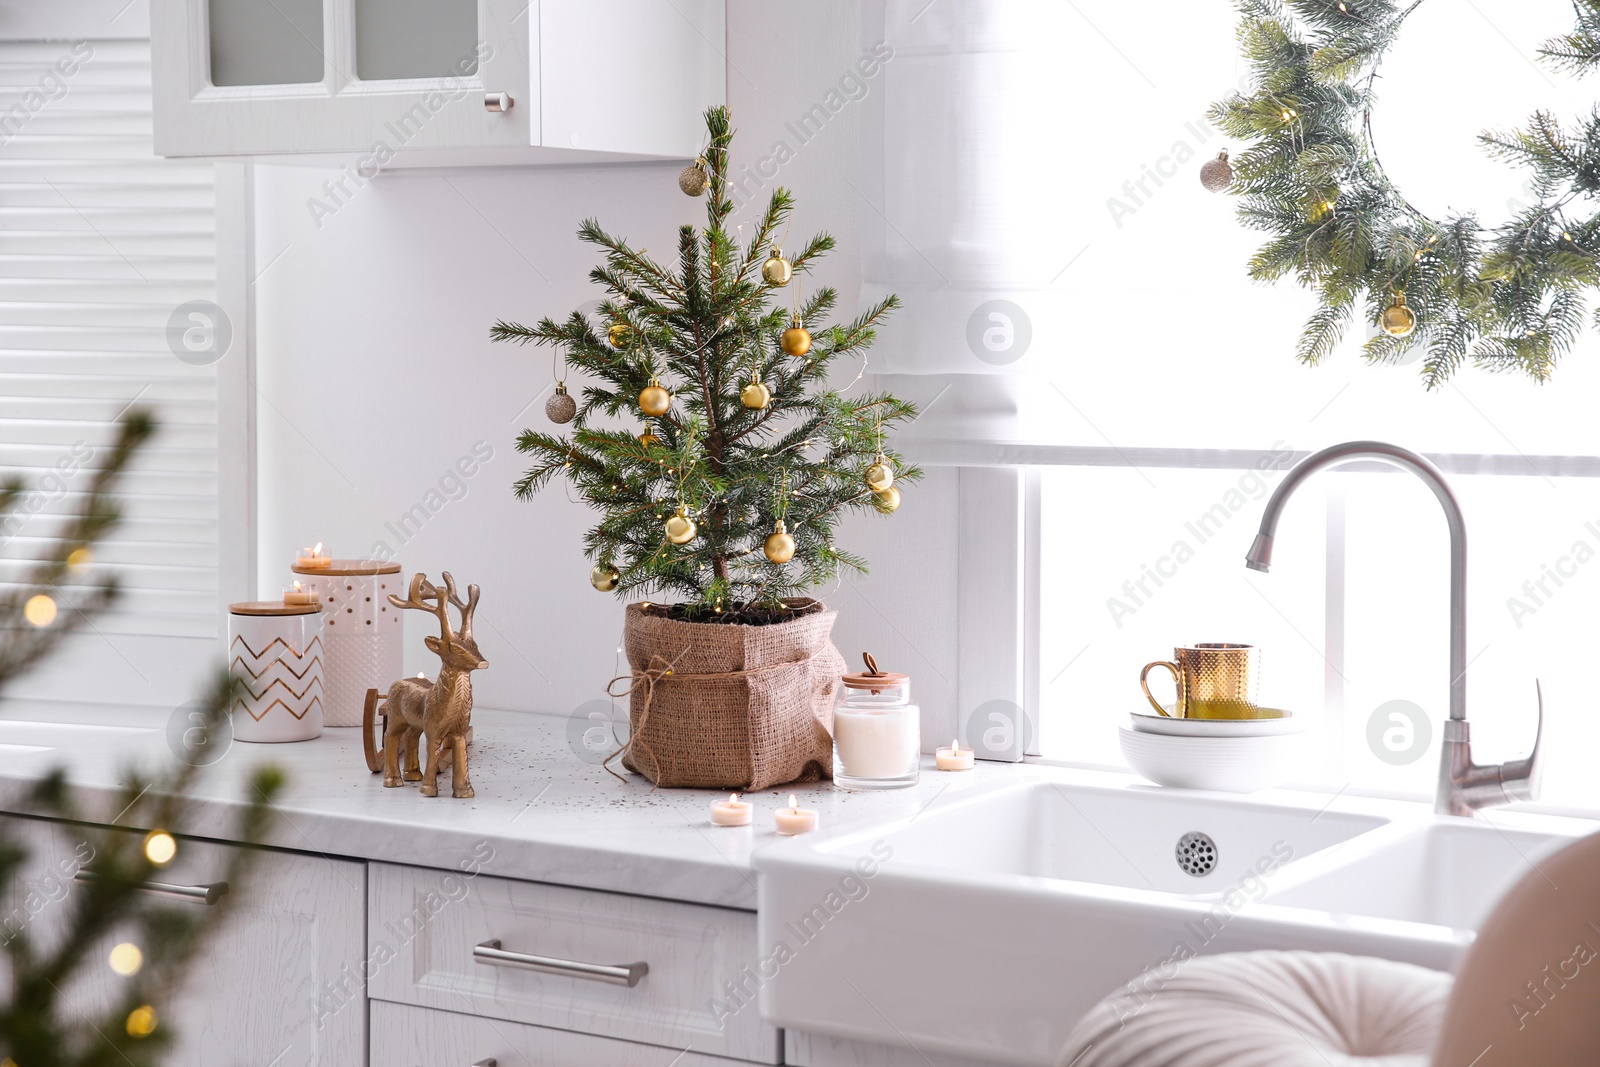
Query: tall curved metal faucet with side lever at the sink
[[1463, 785]]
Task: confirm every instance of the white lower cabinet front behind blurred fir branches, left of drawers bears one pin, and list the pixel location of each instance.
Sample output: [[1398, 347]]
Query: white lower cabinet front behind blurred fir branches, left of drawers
[[279, 983]]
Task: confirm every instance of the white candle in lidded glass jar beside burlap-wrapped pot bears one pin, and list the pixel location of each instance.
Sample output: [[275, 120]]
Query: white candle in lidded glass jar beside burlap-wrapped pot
[[878, 732]]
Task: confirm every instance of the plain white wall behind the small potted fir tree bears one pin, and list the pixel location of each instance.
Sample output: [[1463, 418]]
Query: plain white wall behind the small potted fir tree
[[377, 375]]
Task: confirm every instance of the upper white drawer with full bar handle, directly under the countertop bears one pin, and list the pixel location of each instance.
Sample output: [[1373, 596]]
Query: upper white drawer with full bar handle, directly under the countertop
[[425, 929]]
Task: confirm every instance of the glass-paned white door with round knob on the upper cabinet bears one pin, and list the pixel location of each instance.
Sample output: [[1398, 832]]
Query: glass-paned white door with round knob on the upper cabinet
[[374, 78]]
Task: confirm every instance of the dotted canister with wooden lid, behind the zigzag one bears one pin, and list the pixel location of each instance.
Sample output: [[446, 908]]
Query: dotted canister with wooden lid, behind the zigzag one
[[362, 631]]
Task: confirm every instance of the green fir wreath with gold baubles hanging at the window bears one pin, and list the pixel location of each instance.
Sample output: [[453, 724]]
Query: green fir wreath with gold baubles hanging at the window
[[1506, 297]]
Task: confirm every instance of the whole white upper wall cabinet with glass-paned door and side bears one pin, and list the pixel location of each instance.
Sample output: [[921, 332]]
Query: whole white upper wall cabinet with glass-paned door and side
[[436, 81]]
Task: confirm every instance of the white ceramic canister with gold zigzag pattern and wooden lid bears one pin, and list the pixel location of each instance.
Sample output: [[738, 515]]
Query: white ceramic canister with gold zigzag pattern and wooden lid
[[276, 652]]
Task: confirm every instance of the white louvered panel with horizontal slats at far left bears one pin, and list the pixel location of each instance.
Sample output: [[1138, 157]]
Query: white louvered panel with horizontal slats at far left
[[100, 242]]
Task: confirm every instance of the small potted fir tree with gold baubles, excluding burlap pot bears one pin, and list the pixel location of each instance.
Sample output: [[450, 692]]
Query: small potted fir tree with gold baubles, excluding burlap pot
[[730, 490]]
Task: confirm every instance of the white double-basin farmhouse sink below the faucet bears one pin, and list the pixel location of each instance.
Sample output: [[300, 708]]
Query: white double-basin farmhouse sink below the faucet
[[988, 925]]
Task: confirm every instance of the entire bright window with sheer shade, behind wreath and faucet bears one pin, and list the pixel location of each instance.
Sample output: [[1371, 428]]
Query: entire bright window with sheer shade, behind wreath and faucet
[[1178, 378]]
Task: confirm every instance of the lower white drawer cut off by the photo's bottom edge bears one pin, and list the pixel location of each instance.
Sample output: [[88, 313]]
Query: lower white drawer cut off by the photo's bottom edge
[[423, 1037]]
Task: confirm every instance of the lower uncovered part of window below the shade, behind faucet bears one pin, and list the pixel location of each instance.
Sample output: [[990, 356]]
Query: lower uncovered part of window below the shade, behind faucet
[[1351, 618]]
